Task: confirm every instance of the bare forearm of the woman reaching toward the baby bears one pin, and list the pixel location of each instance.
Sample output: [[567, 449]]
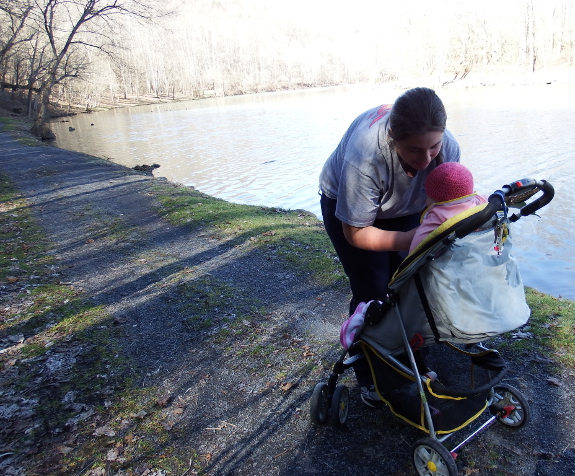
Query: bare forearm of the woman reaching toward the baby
[[374, 239]]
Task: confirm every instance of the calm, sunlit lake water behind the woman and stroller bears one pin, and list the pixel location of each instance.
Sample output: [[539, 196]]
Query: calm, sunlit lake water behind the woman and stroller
[[268, 149]]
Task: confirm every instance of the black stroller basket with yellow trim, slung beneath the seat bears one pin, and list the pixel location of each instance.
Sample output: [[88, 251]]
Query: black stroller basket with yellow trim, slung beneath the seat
[[452, 406]]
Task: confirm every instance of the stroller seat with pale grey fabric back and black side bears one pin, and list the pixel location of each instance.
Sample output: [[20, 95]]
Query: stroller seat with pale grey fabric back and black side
[[459, 290]]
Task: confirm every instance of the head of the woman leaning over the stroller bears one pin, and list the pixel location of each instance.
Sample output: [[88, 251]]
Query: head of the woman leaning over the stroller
[[415, 128]]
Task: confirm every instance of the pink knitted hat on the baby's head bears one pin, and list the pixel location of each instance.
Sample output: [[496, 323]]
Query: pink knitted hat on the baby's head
[[449, 181]]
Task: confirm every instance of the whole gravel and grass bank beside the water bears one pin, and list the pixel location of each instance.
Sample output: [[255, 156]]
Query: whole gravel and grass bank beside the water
[[148, 329]]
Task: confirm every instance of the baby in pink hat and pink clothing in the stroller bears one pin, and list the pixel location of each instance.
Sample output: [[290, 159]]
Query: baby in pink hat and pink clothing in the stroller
[[449, 190]]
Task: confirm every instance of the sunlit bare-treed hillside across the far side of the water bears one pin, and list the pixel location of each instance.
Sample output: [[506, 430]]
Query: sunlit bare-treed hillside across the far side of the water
[[83, 52]]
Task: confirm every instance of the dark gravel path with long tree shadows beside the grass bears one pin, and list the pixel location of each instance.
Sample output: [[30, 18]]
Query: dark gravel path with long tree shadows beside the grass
[[242, 404]]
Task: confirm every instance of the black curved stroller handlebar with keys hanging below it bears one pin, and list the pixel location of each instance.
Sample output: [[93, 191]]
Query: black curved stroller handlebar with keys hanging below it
[[519, 188]]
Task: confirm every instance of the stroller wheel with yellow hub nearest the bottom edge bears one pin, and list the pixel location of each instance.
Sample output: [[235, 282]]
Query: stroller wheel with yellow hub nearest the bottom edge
[[431, 458]]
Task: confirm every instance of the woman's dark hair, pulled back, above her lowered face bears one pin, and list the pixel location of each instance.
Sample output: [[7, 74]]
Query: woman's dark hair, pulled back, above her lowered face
[[417, 111]]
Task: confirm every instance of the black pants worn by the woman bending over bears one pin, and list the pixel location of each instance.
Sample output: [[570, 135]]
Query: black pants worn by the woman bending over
[[369, 272]]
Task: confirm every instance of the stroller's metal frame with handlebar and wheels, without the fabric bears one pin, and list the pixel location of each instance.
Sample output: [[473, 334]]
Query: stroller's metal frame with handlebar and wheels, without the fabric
[[505, 403]]
